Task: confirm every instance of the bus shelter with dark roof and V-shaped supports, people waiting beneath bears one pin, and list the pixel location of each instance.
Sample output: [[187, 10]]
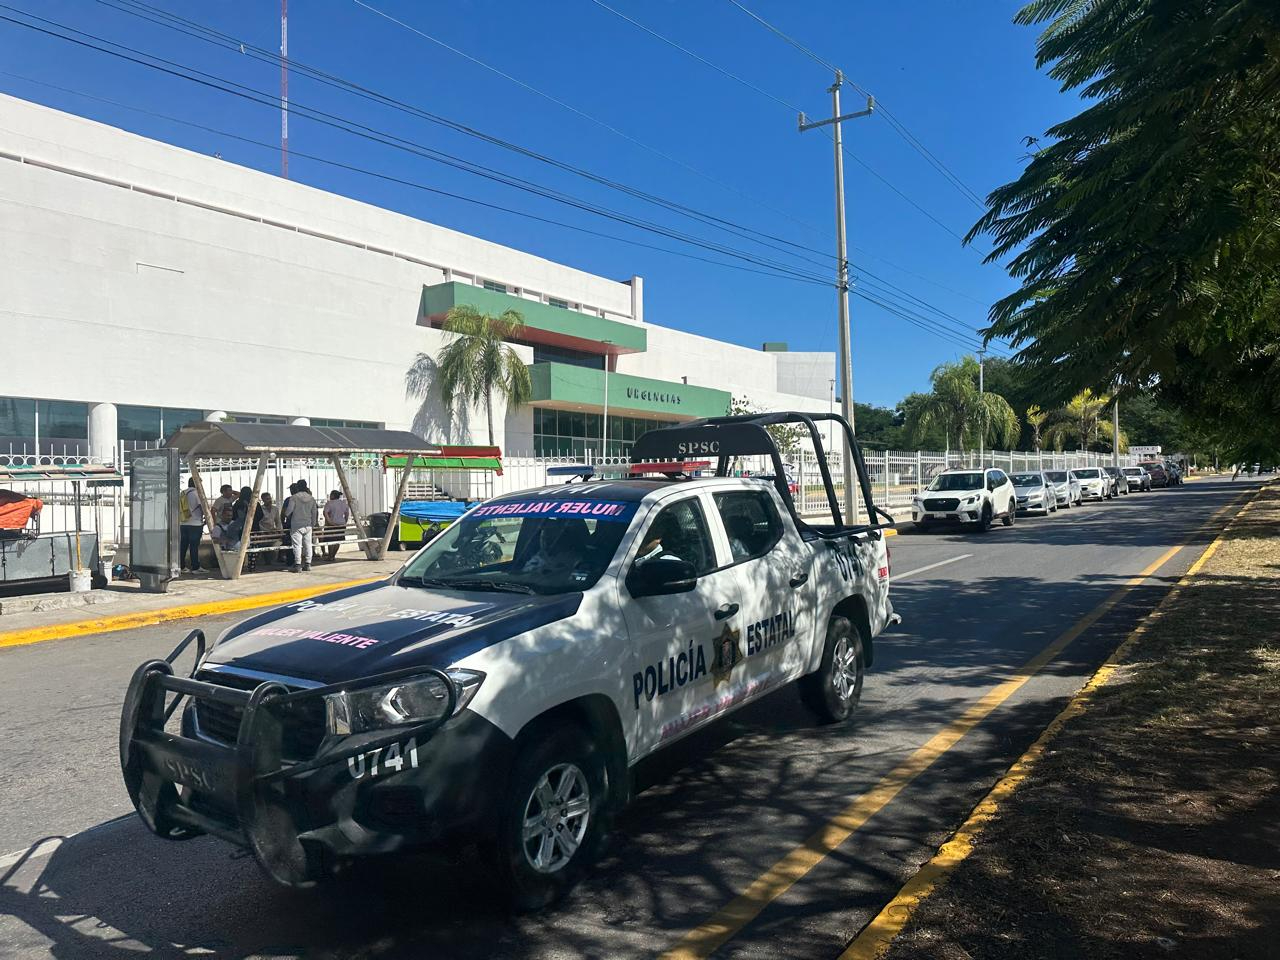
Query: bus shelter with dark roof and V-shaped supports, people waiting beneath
[[204, 442]]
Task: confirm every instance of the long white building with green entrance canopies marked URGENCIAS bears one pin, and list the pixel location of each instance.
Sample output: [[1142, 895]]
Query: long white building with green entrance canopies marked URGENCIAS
[[145, 286]]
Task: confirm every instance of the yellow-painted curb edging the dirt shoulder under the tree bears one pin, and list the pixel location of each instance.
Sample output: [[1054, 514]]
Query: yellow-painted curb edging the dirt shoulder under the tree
[[879, 935]]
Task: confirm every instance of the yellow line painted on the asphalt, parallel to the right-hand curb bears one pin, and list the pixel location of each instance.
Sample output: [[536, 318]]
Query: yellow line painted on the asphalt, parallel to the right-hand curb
[[707, 938]]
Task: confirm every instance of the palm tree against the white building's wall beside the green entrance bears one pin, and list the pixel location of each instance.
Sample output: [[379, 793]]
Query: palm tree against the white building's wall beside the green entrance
[[476, 364]]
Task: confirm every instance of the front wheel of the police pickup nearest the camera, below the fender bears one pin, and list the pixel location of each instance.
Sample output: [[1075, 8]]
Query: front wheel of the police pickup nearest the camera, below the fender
[[561, 758]]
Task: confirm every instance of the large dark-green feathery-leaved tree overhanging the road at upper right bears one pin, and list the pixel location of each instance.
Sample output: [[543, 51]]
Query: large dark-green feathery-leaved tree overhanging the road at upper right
[[1144, 231]]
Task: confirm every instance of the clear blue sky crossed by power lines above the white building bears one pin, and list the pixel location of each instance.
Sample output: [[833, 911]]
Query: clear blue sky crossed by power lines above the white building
[[961, 77]]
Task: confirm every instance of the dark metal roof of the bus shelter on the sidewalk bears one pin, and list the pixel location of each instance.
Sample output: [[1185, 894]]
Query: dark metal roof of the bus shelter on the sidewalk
[[223, 440]]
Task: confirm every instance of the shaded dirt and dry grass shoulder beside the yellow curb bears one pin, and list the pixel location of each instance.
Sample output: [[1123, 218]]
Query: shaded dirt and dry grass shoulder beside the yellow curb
[[1151, 828]]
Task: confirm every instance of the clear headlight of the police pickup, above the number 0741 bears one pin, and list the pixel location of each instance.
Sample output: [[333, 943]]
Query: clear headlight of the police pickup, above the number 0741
[[415, 701]]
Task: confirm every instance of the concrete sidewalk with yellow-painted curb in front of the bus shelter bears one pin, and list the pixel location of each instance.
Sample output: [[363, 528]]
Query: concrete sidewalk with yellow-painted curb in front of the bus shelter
[[122, 606]]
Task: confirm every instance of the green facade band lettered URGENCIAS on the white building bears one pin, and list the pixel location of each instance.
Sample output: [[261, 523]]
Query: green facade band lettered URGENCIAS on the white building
[[565, 383]]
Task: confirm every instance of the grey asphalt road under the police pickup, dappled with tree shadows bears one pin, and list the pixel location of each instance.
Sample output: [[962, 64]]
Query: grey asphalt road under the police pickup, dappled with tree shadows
[[81, 877]]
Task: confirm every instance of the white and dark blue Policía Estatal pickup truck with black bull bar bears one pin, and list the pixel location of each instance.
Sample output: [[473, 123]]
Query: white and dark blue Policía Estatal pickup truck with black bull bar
[[500, 688]]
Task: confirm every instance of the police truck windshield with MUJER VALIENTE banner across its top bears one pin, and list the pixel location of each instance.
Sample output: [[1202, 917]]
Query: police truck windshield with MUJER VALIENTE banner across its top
[[524, 546]]
